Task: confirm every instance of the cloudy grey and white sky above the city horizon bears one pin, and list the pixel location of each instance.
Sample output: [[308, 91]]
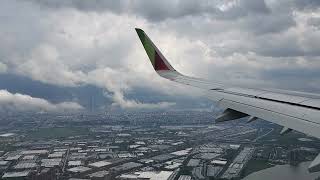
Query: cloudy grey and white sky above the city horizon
[[68, 55]]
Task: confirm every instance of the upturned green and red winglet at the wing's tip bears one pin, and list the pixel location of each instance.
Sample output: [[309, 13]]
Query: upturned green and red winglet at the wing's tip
[[157, 60]]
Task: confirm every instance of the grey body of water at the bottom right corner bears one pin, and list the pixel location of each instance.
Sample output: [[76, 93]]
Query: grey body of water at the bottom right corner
[[284, 172]]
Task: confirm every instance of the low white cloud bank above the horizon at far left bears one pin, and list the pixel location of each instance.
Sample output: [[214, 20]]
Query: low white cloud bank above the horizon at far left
[[21, 102]]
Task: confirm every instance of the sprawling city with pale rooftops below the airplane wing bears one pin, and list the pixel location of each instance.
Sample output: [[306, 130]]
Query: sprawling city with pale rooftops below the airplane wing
[[144, 145]]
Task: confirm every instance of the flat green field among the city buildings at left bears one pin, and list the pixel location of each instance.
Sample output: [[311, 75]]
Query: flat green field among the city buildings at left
[[57, 132]]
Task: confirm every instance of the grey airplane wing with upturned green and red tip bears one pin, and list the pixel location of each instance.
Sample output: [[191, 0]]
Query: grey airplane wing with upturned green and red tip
[[292, 110]]
